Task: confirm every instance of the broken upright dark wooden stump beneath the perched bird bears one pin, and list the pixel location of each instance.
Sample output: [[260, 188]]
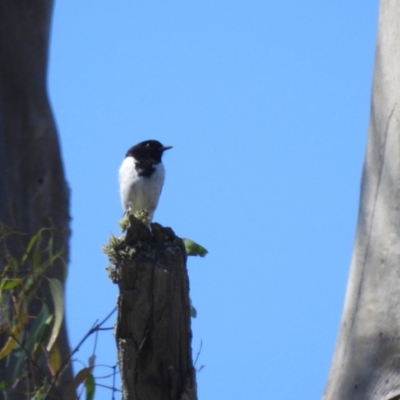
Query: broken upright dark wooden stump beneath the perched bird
[[153, 327]]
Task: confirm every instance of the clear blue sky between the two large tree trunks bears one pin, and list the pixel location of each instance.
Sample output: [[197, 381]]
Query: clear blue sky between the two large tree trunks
[[267, 106]]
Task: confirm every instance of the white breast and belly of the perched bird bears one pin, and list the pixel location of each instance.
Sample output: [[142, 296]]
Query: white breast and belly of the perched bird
[[139, 192]]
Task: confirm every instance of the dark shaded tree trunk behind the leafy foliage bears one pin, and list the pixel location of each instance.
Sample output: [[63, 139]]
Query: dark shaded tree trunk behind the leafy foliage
[[33, 190]]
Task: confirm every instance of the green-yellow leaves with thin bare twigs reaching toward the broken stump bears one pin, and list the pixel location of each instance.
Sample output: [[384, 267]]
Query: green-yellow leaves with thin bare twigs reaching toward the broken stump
[[32, 339]]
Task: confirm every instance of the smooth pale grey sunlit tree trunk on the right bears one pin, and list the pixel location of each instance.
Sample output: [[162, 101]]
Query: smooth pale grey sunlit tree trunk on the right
[[366, 362]]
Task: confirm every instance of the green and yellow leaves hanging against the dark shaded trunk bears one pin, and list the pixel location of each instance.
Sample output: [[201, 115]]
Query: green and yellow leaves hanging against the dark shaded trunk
[[30, 337]]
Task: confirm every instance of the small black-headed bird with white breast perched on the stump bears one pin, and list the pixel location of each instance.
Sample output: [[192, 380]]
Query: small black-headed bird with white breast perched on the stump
[[141, 177]]
